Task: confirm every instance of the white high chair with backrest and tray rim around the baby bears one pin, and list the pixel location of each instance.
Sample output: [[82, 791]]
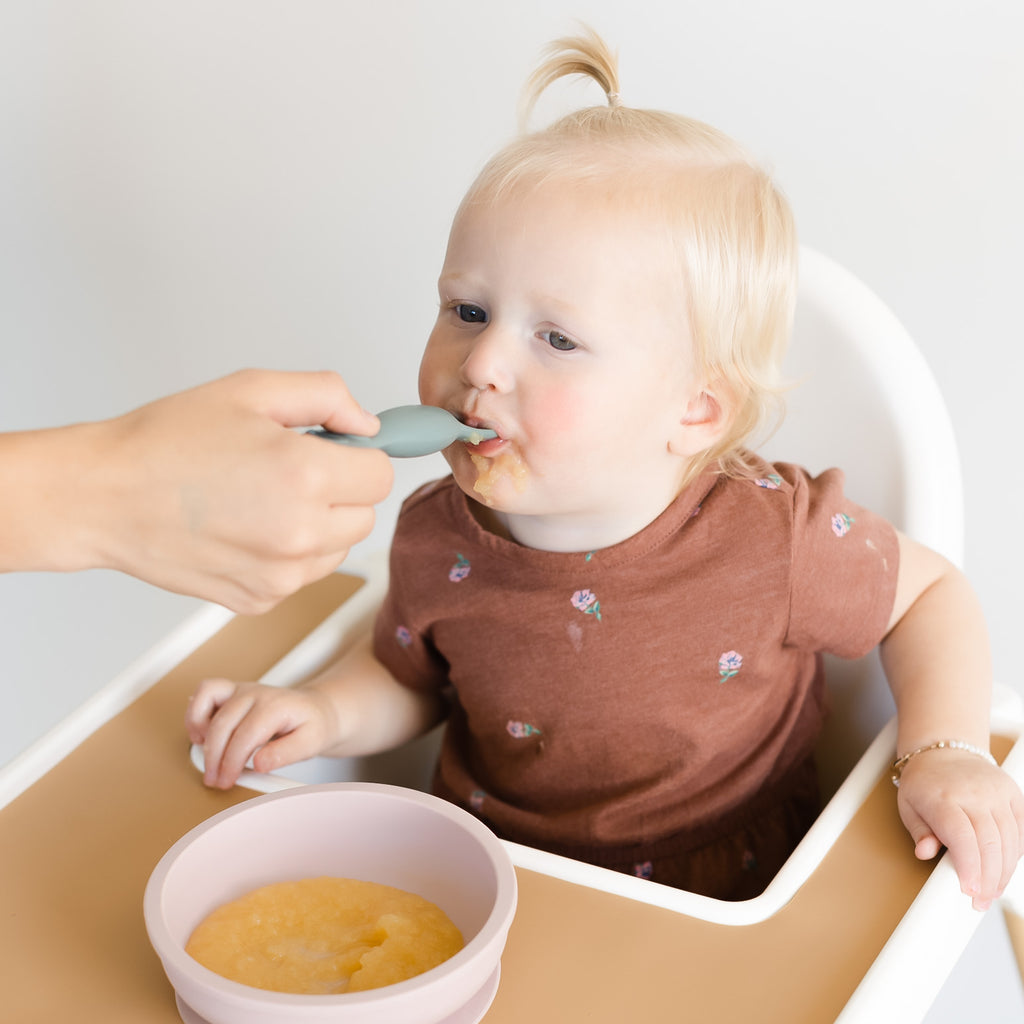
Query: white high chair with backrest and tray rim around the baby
[[869, 404]]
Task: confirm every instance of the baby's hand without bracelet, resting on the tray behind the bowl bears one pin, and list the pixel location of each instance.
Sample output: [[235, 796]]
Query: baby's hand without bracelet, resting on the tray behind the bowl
[[273, 726]]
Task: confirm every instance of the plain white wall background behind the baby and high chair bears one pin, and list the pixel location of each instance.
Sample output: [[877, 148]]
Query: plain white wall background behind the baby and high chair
[[192, 187]]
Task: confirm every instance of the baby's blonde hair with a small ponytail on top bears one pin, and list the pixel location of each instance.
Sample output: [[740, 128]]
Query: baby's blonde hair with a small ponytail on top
[[732, 228]]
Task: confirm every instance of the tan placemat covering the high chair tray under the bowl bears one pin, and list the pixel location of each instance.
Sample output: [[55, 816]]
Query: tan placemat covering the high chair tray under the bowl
[[77, 848]]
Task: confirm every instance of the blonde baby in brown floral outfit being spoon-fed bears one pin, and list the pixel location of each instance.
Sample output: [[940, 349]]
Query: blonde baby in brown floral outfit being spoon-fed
[[616, 605]]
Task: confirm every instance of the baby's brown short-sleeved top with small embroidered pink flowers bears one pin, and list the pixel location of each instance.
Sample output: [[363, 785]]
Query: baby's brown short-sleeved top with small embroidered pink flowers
[[621, 696]]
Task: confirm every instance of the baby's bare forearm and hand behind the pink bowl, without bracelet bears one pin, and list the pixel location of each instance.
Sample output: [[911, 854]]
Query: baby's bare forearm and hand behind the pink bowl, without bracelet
[[355, 707]]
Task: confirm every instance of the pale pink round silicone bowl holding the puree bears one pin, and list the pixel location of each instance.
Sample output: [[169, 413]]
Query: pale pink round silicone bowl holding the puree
[[382, 834]]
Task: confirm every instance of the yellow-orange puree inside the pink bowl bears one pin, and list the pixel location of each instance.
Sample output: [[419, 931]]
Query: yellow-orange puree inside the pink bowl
[[323, 936]]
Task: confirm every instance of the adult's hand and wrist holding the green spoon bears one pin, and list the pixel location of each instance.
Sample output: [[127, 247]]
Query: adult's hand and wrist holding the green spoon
[[205, 493]]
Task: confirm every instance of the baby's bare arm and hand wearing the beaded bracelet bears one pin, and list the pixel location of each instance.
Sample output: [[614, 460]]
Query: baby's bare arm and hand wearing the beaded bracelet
[[937, 662]]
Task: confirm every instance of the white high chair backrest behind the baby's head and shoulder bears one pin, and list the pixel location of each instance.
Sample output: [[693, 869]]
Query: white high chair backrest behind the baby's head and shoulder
[[865, 400]]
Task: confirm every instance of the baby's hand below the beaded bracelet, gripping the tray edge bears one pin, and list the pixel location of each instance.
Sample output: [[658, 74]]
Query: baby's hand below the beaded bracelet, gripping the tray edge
[[958, 800]]
